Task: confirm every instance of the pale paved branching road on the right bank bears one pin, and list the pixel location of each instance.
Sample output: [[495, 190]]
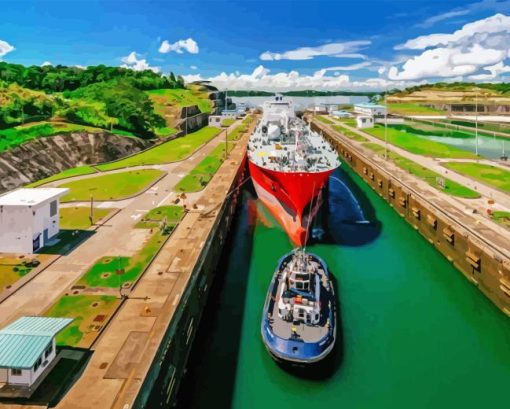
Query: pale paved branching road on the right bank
[[502, 199]]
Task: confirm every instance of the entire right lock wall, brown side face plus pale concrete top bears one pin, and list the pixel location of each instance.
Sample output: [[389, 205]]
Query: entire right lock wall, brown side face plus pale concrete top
[[479, 248]]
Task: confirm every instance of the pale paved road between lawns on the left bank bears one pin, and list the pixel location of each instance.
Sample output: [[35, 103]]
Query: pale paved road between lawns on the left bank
[[117, 237]]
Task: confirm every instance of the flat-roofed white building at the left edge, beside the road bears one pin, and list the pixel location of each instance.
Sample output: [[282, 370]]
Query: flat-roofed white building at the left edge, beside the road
[[29, 219]]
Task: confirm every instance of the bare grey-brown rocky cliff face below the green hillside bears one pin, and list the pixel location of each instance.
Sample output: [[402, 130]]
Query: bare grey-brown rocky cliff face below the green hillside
[[47, 156]]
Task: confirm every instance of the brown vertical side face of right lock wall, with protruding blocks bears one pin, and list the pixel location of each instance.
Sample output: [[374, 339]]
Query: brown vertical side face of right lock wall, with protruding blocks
[[480, 264]]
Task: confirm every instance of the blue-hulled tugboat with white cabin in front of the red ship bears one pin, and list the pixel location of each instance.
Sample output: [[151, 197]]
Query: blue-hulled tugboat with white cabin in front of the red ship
[[299, 316]]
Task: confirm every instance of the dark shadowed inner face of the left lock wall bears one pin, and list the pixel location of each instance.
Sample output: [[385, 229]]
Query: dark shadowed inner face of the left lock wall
[[162, 382]]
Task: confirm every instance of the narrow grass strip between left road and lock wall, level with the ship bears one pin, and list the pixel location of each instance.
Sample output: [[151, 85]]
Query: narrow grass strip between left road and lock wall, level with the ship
[[200, 176]]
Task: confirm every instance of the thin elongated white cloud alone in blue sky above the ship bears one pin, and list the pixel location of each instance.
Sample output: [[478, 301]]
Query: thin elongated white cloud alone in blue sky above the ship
[[348, 49]]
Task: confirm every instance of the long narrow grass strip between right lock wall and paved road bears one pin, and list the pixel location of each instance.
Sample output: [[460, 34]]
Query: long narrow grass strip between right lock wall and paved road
[[451, 187]]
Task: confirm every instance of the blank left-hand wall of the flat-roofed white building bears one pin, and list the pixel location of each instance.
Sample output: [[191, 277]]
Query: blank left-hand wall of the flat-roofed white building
[[15, 229]]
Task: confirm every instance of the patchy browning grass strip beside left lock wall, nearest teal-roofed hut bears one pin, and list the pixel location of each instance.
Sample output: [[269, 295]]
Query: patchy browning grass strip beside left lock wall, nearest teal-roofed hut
[[108, 273]]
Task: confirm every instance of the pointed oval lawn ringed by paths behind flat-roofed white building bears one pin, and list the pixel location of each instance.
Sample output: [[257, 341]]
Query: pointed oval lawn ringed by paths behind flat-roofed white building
[[114, 186]]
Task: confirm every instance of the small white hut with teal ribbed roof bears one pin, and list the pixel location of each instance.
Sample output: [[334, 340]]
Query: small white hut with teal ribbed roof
[[28, 353]]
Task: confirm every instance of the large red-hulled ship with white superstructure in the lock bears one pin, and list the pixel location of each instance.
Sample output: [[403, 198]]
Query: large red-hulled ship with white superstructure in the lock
[[289, 166]]
